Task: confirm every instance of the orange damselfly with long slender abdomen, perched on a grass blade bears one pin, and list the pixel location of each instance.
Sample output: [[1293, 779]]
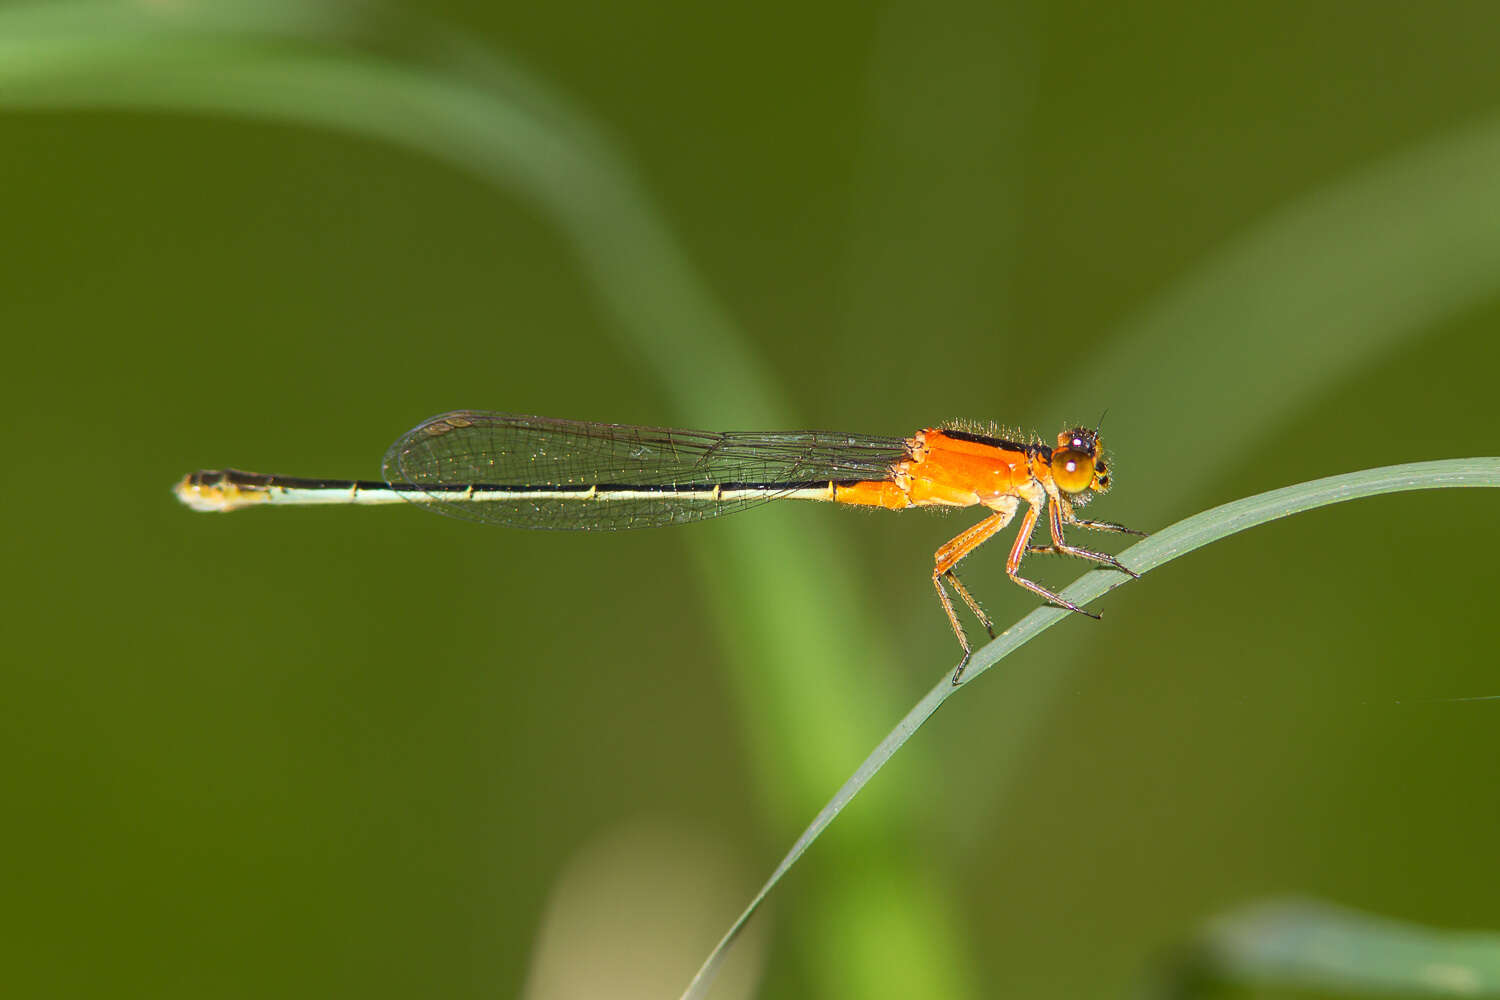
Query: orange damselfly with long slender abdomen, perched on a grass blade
[[568, 475]]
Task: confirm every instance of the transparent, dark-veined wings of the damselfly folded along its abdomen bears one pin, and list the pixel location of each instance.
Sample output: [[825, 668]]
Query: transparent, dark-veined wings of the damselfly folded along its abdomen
[[520, 466]]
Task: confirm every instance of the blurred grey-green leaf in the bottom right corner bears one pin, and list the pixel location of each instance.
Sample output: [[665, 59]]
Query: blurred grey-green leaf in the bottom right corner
[[1307, 945]]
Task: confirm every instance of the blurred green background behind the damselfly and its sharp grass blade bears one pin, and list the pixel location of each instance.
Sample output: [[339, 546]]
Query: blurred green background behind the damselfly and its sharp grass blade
[[379, 753]]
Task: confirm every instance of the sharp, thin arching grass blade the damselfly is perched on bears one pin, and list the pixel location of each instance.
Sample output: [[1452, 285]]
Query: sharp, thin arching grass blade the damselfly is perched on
[[1159, 549]]
